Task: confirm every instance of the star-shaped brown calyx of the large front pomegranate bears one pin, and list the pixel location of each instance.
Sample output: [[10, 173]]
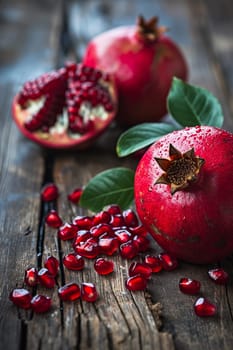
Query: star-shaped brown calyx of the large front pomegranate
[[180, 170]]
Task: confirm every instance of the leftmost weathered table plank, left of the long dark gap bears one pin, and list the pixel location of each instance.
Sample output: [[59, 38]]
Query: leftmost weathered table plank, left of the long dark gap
[[26, 51]]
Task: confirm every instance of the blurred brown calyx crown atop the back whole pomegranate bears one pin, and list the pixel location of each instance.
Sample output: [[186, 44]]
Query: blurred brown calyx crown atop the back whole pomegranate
[[149, 29]]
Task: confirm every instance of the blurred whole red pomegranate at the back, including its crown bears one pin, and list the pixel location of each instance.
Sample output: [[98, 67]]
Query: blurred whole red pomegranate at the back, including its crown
[[143, 61]]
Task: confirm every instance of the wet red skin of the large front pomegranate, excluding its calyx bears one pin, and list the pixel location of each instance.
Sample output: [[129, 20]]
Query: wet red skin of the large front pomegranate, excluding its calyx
[[194, 224]]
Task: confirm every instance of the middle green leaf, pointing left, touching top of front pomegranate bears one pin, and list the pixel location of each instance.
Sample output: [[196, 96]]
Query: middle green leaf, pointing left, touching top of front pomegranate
[[141, 136]]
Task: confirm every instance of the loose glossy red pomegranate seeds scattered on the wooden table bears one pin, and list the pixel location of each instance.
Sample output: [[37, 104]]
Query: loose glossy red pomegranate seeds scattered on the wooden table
[[99, 237]]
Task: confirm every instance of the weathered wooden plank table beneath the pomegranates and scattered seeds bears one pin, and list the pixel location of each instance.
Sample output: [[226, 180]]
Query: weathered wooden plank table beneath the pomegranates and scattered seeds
[[36, 36]]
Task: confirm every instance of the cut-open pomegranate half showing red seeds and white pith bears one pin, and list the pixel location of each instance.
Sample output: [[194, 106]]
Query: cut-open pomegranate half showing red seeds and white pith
[[66, 108]]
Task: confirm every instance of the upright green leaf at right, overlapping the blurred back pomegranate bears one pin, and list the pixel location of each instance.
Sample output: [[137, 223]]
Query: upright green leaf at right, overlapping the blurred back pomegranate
[[191, 105]]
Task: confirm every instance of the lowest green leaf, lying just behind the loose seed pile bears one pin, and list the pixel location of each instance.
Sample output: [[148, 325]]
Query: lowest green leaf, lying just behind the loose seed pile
[[113, 186]]
